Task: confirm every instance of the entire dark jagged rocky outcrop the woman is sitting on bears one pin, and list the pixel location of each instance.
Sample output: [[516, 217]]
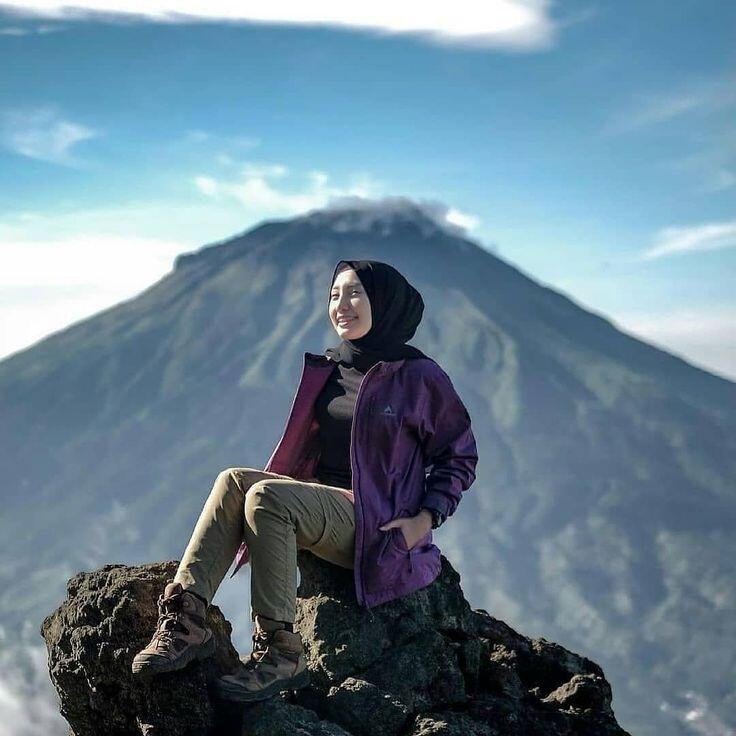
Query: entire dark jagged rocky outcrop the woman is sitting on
[[423, 664]]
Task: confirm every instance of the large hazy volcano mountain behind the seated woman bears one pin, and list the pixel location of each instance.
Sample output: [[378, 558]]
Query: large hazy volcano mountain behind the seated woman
[[603, 513]]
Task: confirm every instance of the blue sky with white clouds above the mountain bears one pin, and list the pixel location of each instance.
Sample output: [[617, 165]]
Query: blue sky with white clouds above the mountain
[[591, 144]]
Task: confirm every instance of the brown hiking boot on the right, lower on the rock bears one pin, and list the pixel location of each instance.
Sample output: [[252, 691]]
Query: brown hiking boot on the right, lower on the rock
[[277, 663]]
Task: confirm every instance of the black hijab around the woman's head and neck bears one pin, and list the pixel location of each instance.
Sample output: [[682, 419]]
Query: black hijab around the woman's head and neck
[[396, 311]]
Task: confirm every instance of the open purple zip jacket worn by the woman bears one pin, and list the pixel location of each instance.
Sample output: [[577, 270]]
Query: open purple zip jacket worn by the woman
[[407, 417]]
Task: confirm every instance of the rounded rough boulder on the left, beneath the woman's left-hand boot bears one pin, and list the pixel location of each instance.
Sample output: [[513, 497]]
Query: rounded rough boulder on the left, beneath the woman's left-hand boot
[[108, 616]]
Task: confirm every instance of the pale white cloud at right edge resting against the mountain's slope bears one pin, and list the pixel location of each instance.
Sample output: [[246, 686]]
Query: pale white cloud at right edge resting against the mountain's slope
[[704, 337]]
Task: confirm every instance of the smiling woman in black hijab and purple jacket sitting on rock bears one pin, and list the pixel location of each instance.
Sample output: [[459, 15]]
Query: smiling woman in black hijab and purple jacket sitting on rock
[[348, 481]]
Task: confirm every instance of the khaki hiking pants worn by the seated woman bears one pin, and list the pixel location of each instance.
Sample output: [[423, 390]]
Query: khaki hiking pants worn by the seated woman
[[275, 514]]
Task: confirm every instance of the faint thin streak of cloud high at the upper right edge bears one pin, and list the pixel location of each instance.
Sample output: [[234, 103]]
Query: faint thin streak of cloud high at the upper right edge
[[703, 96]]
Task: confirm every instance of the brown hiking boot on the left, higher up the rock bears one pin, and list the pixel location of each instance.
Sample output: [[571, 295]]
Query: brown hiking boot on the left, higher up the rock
[[181, 634]]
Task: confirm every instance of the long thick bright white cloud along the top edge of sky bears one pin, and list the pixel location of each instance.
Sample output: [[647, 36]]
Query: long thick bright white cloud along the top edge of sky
[[520, 25]]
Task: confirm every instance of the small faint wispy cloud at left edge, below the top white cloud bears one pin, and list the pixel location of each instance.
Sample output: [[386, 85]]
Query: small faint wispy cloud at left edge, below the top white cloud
[[43, 134]]
